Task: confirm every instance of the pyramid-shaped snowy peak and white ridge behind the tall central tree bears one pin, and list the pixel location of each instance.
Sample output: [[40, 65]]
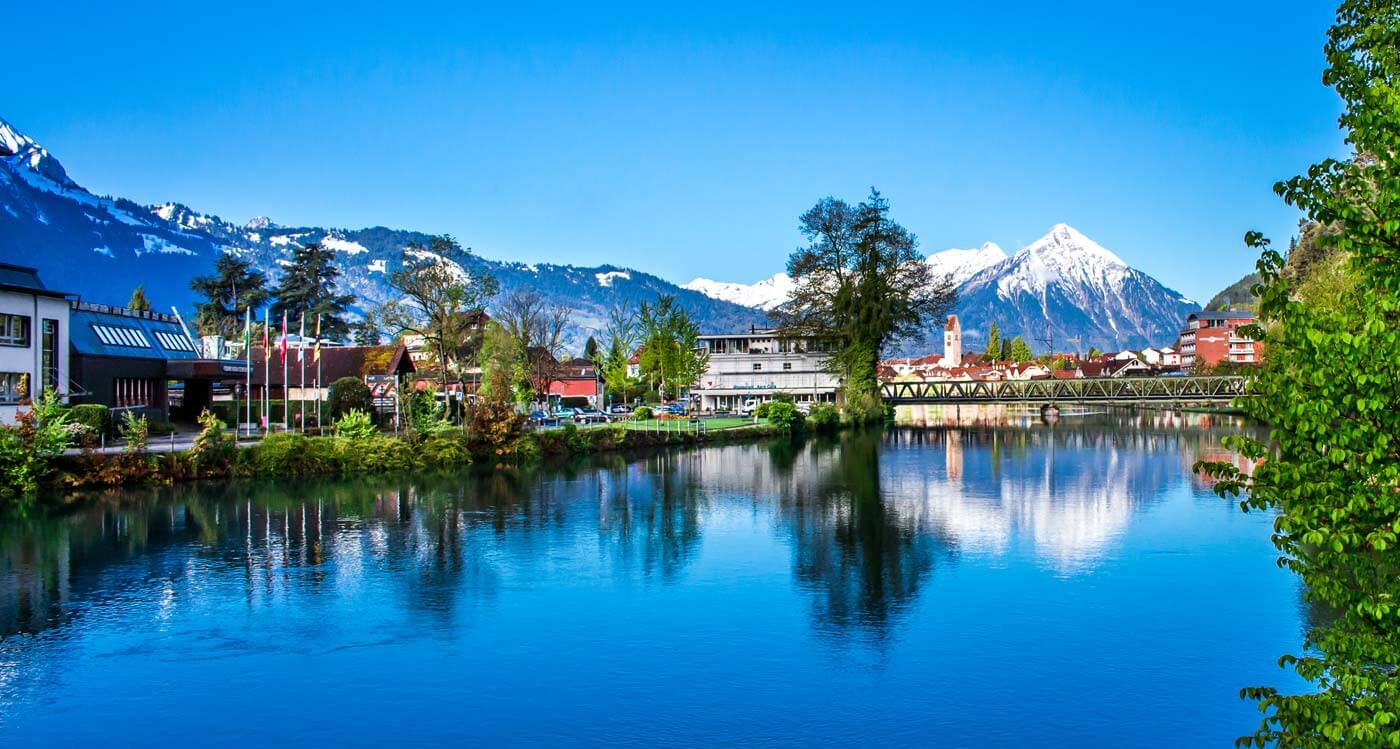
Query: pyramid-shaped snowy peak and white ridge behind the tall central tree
[[1063, 288]]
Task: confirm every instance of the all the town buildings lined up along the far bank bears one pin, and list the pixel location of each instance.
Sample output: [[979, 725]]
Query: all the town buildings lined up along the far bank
[[149, 362]]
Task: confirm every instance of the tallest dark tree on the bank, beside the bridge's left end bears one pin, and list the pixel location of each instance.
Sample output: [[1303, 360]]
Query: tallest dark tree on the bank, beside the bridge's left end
[[862, 283]]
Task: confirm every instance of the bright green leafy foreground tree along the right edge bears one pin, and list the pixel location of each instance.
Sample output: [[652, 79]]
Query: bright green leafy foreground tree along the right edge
[[1331, 467]]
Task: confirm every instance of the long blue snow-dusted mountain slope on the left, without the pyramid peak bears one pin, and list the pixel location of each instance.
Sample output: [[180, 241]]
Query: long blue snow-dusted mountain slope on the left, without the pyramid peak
[[101, 248]]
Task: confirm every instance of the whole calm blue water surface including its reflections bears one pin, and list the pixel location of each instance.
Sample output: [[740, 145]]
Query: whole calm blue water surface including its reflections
[[999, 586]]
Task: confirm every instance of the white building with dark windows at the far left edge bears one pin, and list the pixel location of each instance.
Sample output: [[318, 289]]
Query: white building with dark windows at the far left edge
[[34, 339]]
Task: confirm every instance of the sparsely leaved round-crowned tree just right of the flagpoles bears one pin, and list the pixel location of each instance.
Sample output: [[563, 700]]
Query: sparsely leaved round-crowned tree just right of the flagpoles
[[437, 293]]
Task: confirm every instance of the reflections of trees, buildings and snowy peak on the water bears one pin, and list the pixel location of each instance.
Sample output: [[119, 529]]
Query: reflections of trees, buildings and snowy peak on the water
[[867, 521]]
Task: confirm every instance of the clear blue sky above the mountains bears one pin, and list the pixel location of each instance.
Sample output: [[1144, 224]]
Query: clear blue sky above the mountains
[[687, 141]]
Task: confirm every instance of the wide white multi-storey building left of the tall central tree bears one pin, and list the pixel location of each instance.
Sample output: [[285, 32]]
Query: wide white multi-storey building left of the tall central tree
[[759, 365]]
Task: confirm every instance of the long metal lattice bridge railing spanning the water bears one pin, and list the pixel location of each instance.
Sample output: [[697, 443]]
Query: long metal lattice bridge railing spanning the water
[[1081, 390]]
